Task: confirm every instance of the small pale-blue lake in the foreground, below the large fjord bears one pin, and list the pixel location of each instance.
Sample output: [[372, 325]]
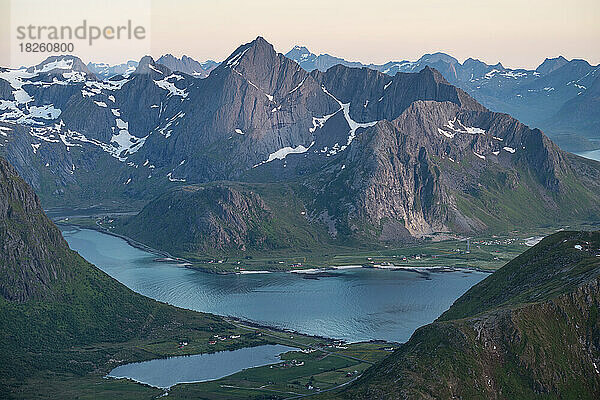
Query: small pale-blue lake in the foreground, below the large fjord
[[167, 372]]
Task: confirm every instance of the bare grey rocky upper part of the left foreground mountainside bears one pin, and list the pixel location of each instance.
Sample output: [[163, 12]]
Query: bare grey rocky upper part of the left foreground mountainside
[[32, 249]]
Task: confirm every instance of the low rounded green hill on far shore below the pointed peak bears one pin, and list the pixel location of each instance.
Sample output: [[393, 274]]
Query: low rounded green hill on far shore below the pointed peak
[[225, 218]]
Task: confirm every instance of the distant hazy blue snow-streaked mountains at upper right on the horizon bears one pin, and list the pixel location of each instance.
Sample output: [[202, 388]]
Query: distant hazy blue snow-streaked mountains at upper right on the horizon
[[539, 97]]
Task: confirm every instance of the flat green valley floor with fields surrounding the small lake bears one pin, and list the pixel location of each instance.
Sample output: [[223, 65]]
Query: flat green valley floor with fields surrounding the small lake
[[323, 365]]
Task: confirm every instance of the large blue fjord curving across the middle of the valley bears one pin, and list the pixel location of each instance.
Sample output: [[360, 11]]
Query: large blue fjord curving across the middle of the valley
[[359, 304]]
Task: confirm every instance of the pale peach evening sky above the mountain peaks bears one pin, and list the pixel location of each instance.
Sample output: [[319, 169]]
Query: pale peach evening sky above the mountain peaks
[[515, 32]]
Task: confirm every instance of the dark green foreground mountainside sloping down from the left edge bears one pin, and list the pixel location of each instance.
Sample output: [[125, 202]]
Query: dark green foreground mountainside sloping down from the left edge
[[62, 319]]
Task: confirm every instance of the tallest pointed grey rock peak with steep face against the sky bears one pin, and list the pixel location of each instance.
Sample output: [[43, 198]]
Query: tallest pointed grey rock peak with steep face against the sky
[[255, 103]]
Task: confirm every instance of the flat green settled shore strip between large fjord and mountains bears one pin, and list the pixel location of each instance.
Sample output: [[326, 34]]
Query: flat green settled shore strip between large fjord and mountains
[[480, 252]]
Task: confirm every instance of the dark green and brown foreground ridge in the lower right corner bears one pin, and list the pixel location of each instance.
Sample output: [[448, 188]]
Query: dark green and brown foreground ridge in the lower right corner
[[508, 337]]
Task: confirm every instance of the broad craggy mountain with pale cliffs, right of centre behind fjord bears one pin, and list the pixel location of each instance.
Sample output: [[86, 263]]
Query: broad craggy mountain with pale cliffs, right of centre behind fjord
[[418, 168]]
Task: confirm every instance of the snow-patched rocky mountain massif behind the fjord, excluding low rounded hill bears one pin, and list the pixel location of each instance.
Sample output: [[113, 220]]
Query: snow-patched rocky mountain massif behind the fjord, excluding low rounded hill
[[367, 156]]
